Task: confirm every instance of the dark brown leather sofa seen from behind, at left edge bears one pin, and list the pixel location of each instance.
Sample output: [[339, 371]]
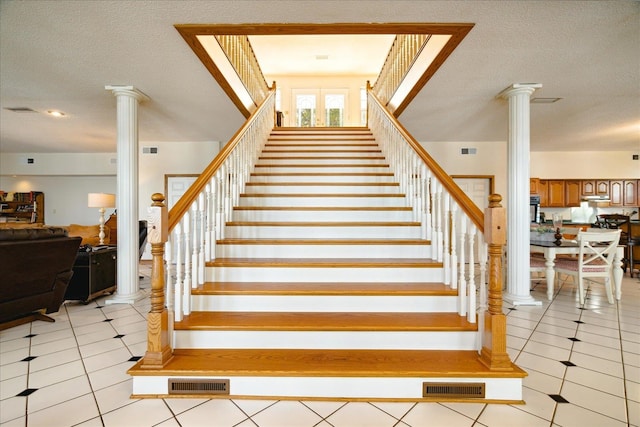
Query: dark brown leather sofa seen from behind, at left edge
[[36, 265]]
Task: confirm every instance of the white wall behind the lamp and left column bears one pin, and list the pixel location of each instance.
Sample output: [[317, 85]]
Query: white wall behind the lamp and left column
[[66, 179]]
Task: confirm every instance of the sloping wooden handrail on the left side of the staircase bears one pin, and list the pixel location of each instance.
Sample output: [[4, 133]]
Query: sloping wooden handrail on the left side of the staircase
[[185, 202]]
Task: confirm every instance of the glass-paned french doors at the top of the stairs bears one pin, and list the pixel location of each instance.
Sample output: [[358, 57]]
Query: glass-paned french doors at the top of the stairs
[[320, 107]]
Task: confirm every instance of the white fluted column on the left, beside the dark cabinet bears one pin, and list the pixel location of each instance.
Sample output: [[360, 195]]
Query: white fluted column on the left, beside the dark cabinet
[[128, 289]]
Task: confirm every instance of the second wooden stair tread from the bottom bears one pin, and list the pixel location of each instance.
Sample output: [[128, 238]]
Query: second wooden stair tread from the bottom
[[323, 321]]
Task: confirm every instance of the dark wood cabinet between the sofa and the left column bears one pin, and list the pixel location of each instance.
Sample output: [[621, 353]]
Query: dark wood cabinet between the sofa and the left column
[[94, 274]]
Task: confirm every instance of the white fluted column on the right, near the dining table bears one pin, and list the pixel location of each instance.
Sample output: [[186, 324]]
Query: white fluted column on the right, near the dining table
[[518, 221]]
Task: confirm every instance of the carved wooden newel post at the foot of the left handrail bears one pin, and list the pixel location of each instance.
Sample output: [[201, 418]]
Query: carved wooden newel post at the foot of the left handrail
[[158, 348]]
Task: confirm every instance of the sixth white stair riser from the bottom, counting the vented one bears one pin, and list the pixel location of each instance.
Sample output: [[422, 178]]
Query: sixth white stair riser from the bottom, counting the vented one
[[318, 232]]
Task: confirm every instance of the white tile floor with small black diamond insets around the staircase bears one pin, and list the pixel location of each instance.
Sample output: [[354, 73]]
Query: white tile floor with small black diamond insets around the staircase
[[583, 365]]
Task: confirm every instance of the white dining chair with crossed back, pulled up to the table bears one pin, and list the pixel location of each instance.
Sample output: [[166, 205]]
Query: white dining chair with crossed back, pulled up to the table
[[595, 259]]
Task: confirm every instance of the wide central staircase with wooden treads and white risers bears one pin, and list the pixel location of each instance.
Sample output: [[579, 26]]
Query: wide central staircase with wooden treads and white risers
[[323, 286]]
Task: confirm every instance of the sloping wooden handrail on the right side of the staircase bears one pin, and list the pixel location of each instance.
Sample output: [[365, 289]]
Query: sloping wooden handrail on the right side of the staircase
[[466, 204]]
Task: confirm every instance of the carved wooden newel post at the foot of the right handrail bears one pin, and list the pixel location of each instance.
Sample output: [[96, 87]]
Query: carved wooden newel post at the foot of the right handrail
[[494, 341]]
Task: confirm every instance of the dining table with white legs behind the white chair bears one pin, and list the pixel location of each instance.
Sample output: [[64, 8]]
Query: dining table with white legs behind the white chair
[[551, 249]]
